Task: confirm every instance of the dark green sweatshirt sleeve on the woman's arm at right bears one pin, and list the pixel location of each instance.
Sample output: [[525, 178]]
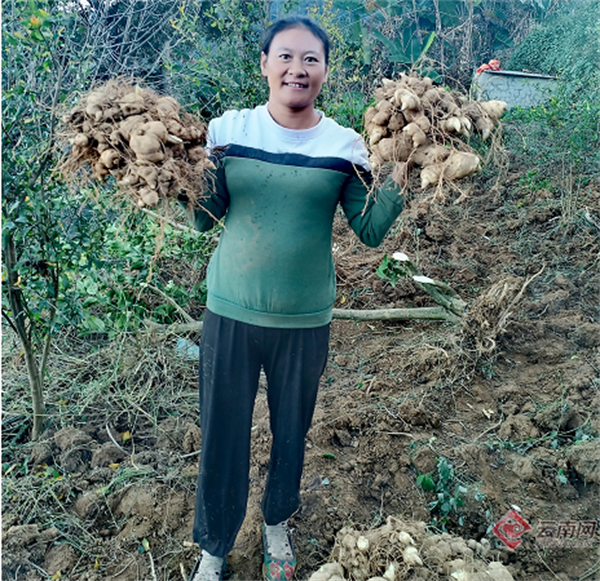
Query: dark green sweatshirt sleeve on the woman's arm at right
[[371, 213]]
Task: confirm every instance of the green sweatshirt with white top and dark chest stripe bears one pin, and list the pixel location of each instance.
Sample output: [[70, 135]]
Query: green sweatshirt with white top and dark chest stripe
[[278, 190]]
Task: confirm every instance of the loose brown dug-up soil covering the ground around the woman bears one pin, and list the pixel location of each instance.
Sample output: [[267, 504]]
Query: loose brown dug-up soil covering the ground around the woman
[[520, 423]]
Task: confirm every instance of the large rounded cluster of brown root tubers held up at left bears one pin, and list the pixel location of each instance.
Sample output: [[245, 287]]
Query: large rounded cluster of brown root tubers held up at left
[[145, 141]]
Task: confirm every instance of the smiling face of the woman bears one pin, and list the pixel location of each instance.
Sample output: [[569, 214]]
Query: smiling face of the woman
[[295, 68]]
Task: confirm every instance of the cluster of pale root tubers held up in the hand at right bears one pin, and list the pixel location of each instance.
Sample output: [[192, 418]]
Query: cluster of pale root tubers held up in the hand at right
[[423, 125]]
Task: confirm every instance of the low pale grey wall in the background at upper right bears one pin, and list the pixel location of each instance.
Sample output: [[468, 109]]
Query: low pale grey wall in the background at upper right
[[516, 88]]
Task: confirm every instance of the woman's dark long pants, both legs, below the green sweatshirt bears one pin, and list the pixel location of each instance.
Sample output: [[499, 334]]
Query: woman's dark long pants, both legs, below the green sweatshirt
[[231, 357]]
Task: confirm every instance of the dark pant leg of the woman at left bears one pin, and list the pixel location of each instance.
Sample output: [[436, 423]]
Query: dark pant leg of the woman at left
[[229, 370]]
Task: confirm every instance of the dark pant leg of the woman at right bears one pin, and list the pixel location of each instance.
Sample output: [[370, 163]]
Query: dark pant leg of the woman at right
[[294, 361]]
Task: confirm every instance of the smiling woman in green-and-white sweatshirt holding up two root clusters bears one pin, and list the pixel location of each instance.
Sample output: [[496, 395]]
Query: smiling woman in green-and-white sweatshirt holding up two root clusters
[[282, 170]]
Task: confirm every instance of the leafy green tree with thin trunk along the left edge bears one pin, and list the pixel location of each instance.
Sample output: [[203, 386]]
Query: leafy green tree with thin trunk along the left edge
[[52, 52]]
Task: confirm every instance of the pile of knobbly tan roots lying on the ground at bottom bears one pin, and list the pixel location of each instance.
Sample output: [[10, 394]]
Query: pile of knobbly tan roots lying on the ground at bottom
[[401, 550]]
